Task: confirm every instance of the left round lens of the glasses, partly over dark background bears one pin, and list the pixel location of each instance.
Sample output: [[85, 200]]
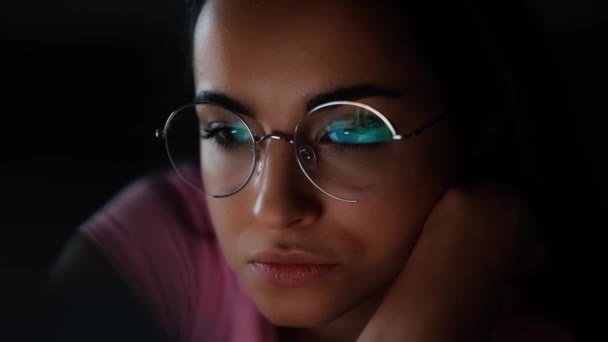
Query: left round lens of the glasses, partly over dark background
[[211, 148]]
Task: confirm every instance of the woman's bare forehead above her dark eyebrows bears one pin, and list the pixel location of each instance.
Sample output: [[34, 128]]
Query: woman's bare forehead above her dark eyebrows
[[285, 49]]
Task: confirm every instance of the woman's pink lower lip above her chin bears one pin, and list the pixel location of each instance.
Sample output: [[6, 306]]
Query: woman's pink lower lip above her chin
[[291, 275]]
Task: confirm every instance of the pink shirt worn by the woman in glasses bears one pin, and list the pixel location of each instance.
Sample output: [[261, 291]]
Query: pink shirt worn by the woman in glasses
[[158, 237]]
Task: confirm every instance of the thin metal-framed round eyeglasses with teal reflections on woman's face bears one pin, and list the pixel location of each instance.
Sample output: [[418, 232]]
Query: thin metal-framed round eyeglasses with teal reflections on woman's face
[[342, 147]]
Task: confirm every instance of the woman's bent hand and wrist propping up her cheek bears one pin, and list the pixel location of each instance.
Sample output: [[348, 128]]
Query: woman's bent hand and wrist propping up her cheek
[[454, 281]]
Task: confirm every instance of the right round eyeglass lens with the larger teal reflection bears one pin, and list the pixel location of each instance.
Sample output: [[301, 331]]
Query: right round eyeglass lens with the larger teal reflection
[[343, 149]]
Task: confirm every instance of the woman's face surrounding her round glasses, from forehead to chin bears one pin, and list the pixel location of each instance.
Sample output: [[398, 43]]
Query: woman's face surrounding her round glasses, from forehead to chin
[[305, 258]]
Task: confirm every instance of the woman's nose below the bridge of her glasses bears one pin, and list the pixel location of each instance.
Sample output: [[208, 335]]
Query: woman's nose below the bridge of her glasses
[[284, 198]]
